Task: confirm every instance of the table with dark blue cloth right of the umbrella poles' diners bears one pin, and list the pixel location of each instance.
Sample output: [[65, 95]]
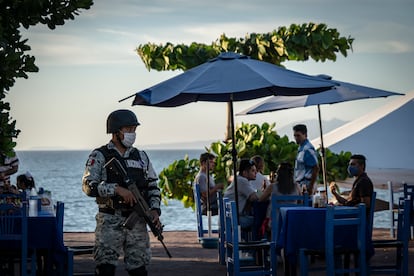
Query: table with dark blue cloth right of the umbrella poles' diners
[[304, 227]]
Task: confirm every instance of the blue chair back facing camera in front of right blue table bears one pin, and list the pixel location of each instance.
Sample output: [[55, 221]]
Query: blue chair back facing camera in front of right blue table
[[338, 216]]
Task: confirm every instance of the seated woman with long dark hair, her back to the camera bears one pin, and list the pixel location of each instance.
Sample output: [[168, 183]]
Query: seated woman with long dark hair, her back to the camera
[[284, 185]]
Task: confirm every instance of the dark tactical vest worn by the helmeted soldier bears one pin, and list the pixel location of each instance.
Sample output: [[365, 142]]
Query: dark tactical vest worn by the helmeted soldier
[[136, 170]]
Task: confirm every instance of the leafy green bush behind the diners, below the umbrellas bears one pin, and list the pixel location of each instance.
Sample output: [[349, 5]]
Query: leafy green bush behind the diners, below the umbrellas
[[176, 180]]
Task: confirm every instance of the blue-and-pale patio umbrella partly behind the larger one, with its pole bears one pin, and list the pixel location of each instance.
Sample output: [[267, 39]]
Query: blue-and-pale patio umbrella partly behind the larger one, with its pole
[[343, 92]]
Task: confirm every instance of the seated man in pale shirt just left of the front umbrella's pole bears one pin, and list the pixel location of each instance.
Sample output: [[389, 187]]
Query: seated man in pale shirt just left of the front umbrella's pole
[[207, 163]]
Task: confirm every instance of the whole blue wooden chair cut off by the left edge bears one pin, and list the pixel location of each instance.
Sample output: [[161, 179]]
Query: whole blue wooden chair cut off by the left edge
[[14, 229]]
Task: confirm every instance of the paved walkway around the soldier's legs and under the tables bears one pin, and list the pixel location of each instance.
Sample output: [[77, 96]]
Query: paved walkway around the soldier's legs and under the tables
[[189, 258]]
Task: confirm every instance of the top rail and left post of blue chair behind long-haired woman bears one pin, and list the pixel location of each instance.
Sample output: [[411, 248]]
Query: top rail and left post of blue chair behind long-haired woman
[[278, 201]]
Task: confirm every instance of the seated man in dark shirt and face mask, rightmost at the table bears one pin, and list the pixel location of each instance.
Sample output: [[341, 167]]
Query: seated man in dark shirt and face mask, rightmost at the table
[[362, 188]]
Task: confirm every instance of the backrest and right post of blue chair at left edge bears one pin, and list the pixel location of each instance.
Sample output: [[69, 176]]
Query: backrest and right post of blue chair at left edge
[[13, 227]]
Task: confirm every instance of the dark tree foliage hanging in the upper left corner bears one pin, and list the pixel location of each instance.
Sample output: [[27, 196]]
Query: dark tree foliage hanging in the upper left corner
[[14, 60]]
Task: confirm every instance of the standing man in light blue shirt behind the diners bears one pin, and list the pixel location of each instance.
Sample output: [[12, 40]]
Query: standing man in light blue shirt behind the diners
[[306, 164]]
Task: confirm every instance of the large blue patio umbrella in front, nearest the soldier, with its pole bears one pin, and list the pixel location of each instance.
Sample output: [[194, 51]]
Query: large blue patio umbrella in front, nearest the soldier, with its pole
[[227, 78]]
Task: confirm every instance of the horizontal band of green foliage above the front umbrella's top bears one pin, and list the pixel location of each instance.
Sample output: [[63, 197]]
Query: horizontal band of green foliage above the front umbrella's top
[[298, 42]]
